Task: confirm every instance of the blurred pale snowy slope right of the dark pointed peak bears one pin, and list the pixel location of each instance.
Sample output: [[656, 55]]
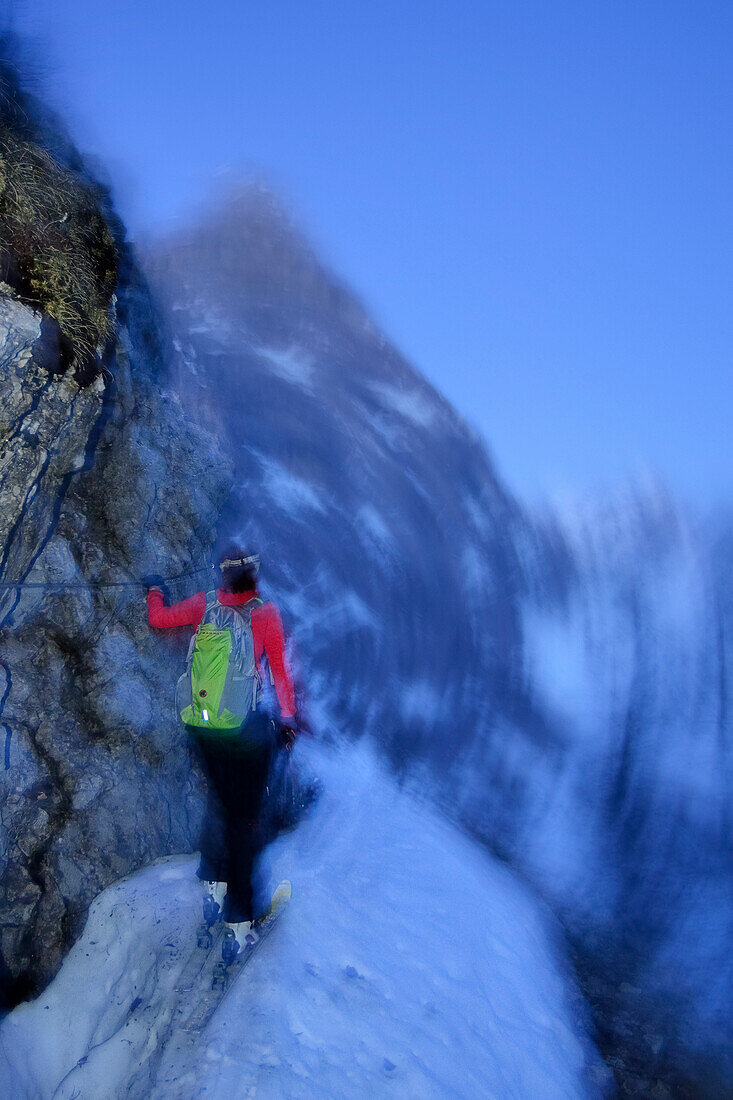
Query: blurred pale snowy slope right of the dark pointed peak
[[626, 826]]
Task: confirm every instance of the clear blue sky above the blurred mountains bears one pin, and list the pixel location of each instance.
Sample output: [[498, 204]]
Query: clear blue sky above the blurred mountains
[[534, 200]]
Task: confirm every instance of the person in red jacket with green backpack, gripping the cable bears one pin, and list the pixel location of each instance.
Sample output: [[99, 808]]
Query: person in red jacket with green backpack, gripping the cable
[[232, 733]]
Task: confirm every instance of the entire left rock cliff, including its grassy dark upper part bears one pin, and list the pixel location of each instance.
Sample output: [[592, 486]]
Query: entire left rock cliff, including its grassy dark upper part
[[102, 481]]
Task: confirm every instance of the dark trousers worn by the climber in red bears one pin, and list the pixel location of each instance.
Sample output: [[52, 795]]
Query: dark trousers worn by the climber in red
[[233, 838]]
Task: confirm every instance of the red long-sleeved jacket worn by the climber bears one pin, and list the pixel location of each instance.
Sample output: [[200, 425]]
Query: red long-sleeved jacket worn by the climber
[[267, 632]]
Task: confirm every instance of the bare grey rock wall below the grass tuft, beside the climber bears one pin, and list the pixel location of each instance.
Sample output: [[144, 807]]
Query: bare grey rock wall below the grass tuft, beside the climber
[[101, 486]]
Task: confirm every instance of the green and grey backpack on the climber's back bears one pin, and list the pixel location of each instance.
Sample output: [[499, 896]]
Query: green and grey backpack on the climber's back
[[221, 687]]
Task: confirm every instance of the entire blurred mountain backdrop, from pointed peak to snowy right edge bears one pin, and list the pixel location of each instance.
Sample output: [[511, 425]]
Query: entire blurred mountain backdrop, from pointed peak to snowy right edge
[[559, 683]]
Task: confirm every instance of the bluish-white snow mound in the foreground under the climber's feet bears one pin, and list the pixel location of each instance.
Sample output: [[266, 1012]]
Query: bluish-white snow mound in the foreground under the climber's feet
[[409, 964]]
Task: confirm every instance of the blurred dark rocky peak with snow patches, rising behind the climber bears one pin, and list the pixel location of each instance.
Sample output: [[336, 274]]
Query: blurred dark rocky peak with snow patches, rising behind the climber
[[385, 531]]
